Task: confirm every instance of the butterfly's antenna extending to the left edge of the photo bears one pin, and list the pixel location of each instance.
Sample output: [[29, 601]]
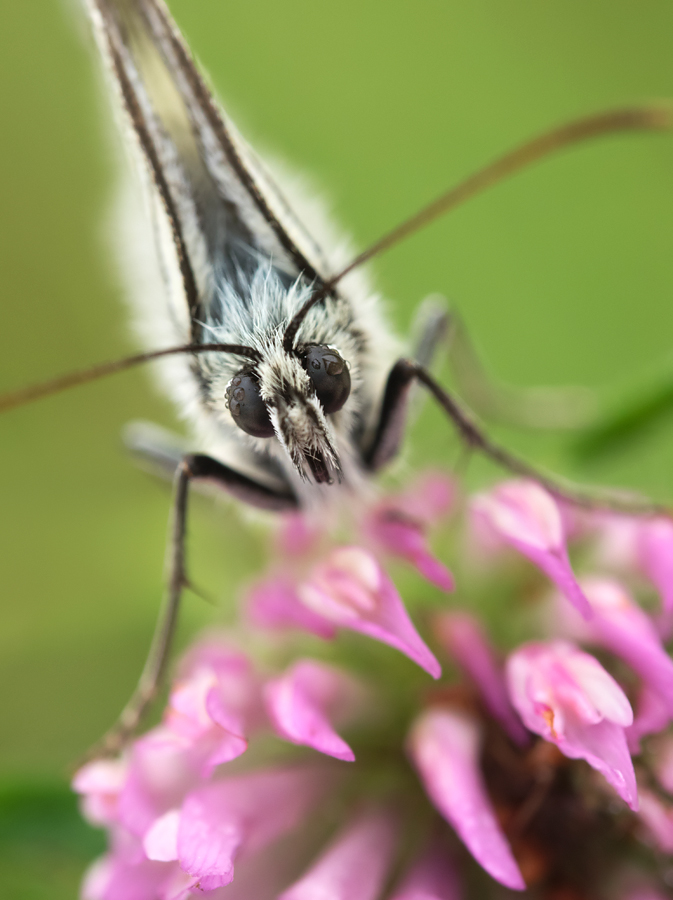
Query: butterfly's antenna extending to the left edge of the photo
[[33, 392]]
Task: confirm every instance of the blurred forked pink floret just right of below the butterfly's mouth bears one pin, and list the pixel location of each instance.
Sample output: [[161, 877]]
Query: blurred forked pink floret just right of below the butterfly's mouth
[[398, 524]]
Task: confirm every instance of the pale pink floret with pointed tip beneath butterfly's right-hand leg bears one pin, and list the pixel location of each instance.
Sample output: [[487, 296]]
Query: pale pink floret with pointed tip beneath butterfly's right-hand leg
[[528, 518]]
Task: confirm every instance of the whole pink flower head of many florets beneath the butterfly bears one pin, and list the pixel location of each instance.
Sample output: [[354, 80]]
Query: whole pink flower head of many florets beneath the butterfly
[[390, 760]]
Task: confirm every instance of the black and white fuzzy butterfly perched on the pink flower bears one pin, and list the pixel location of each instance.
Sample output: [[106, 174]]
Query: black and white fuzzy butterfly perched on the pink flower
[[272, 344]]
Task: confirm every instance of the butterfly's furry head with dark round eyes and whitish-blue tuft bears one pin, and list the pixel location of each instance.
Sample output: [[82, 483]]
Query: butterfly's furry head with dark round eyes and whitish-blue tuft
[[291, 390]]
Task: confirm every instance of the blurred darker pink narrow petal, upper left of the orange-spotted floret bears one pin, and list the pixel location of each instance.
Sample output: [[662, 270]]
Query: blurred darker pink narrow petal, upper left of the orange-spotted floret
[[462, 636]]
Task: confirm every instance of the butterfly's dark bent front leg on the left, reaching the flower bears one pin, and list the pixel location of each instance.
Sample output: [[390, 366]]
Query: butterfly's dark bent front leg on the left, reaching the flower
[[193, 467]]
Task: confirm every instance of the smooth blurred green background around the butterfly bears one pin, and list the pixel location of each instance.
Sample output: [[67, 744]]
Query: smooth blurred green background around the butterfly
[[564, 275]]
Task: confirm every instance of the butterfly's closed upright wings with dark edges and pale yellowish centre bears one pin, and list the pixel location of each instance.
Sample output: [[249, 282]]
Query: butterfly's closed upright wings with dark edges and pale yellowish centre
[[223, 218]]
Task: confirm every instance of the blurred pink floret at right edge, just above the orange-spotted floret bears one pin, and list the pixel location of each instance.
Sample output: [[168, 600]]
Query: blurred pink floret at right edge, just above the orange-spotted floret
[[622, 627]]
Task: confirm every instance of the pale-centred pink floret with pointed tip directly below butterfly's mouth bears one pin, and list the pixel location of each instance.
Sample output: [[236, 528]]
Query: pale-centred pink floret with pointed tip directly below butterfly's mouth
[[351, 590]]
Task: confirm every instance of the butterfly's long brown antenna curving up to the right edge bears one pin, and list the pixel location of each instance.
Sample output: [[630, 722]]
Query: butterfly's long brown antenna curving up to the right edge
[[645, 117]]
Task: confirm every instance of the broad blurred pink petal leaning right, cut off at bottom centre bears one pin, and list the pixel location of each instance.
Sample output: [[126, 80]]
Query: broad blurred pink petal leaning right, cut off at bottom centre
[[354, 866]]
